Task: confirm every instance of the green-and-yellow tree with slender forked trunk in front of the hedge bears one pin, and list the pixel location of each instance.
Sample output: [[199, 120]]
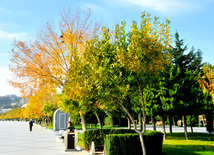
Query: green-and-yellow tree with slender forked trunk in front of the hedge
[[129, 61]]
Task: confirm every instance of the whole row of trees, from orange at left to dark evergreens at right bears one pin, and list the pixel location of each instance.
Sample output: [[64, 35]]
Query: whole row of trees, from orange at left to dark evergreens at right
[[101, 69]]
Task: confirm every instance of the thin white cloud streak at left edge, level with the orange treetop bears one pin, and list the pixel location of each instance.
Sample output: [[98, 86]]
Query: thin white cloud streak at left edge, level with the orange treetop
[[8, 35]]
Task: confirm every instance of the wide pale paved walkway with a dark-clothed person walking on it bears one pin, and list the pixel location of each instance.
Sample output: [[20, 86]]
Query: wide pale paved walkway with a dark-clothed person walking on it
[[16, 139]]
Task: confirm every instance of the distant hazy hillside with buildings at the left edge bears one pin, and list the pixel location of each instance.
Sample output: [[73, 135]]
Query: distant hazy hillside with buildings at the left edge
[[9, 101]]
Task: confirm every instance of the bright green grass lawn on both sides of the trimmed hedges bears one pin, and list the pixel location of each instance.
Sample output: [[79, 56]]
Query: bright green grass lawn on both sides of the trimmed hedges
[[198, 144]]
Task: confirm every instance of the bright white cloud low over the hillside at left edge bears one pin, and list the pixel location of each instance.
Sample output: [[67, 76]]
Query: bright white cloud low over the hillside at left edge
[[5, 87]]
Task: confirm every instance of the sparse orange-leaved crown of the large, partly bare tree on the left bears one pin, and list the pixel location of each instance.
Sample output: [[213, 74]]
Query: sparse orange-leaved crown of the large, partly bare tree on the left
[[48, 58]]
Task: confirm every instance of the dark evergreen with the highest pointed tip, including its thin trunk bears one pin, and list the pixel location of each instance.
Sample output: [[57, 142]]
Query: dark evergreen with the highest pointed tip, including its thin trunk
[[189, 96]]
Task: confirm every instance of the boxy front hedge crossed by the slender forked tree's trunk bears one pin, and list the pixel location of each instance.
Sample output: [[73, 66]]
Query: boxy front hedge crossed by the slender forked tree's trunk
[[126, 144]]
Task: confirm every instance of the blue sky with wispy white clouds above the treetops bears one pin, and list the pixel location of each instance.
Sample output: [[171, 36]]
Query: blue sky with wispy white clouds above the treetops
[[22, 19]]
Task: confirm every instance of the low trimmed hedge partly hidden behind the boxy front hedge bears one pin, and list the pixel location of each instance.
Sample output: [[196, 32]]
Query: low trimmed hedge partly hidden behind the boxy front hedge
[[98, 136]]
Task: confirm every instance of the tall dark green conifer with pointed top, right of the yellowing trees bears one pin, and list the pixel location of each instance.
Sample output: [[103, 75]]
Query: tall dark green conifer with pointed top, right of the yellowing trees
[[189, 66]]
